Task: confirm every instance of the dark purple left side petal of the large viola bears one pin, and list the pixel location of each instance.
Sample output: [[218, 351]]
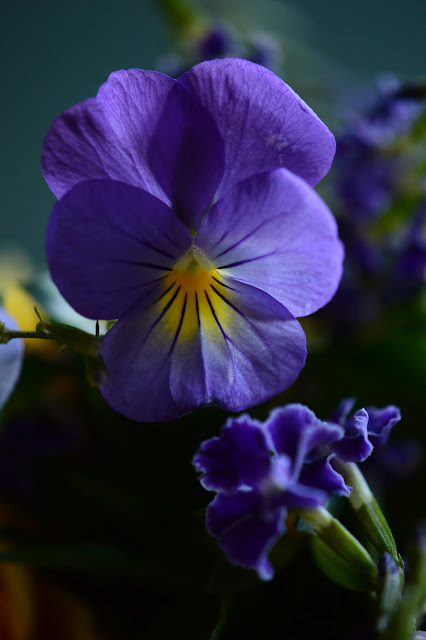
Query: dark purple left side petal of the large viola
[[108, 244]]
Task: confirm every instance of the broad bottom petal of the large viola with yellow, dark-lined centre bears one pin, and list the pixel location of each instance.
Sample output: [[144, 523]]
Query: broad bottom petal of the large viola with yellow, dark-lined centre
[[185, 350]]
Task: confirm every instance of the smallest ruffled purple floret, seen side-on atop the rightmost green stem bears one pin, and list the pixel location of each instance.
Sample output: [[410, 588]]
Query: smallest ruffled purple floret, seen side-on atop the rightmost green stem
[[364, 429]]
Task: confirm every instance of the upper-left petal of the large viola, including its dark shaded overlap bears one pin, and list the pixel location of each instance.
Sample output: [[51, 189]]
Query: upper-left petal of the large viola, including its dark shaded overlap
[[144, 129]]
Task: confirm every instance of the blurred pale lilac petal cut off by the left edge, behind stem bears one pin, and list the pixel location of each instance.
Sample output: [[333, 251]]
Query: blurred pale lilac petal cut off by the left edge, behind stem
[[11, 356]]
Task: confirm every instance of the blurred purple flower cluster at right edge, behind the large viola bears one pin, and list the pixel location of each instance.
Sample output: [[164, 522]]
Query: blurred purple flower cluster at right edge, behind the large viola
[[378, 181]]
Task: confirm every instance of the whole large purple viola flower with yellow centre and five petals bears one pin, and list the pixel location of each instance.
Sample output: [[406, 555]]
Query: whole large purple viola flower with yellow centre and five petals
[[186, 212]]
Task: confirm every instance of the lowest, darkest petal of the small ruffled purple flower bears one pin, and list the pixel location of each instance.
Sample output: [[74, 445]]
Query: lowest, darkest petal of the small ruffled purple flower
[[244, 531]]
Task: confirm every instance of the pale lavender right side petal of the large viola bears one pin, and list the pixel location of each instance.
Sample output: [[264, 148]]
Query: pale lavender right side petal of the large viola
[[275, 233]]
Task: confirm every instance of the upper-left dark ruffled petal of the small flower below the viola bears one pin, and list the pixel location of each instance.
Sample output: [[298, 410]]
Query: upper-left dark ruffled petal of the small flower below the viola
[[239, 457]]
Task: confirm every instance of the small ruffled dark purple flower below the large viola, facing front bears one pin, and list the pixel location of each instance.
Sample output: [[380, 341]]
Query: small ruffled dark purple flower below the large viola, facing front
[[258, 472]]
